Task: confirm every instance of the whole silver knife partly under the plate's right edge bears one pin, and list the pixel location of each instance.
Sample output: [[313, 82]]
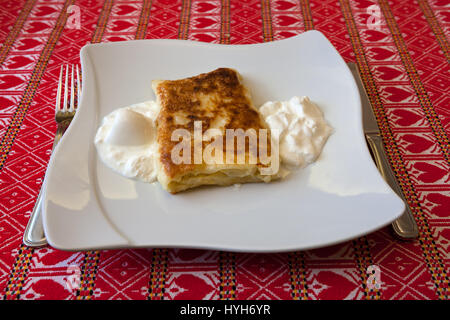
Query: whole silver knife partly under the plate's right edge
[[405, 226]]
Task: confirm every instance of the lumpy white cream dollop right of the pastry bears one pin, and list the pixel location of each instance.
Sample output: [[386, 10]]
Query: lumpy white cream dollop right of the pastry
[[302, 129]]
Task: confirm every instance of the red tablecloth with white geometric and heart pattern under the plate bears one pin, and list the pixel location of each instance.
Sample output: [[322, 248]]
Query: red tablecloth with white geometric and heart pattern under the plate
[[402, 50]]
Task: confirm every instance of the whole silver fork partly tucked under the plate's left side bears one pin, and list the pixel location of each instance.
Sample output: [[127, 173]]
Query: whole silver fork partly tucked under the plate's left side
[[34, 233]]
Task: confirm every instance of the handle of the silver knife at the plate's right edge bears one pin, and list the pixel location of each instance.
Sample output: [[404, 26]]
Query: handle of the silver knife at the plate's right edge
[[405, 226]]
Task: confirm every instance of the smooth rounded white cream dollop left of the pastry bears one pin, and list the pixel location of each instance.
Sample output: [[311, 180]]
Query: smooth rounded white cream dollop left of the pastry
[[126, 141]]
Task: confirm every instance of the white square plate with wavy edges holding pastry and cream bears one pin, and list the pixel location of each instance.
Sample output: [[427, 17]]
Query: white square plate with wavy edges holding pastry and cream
[[339, 197]]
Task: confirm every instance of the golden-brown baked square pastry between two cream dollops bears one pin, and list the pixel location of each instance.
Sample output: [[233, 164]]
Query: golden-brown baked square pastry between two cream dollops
[[196, 115]]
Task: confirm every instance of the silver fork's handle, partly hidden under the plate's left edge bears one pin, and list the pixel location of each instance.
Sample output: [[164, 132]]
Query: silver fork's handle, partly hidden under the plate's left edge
[[34, 235]]
